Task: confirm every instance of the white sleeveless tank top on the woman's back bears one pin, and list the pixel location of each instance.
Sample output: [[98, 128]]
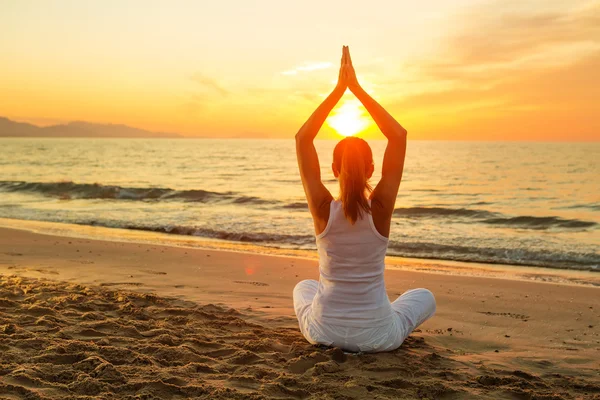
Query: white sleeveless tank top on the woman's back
[[351, 263]]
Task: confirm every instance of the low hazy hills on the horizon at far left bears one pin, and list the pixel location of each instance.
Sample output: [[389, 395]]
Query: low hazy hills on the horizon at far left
[[9, 128]]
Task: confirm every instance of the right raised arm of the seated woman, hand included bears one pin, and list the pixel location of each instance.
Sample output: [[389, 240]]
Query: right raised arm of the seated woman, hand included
[[393, 160]]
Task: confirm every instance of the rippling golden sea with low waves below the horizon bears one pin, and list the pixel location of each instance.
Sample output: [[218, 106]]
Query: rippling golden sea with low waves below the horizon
[[514, 203]]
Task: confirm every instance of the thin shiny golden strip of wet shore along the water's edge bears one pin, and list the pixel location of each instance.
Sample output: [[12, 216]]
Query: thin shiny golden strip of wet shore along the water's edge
[[578, 277]]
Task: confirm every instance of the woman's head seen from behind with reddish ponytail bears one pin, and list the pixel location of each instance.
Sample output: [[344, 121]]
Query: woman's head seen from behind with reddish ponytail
[[353, 166]]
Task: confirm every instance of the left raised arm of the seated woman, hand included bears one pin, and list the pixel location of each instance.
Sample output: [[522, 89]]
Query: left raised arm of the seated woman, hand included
[[317, 195]]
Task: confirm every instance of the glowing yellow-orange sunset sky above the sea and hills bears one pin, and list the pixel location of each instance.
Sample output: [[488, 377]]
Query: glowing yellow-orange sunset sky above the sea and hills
[[450, 70]]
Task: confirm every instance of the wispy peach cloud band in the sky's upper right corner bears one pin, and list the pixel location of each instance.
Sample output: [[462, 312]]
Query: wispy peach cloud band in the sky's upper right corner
[[494, 42]]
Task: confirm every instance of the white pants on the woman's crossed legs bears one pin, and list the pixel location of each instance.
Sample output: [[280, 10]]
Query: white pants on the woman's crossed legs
[[410, 310]]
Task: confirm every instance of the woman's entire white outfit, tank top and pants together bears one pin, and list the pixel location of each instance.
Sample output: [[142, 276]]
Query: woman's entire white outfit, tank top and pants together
[[349, 307]]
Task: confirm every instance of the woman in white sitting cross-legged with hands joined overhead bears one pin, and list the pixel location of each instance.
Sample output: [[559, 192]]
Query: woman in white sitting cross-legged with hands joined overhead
[[348, 307]]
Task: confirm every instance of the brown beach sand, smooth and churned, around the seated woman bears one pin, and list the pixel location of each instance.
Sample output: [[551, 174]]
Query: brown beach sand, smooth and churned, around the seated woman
[[83, 318]]
